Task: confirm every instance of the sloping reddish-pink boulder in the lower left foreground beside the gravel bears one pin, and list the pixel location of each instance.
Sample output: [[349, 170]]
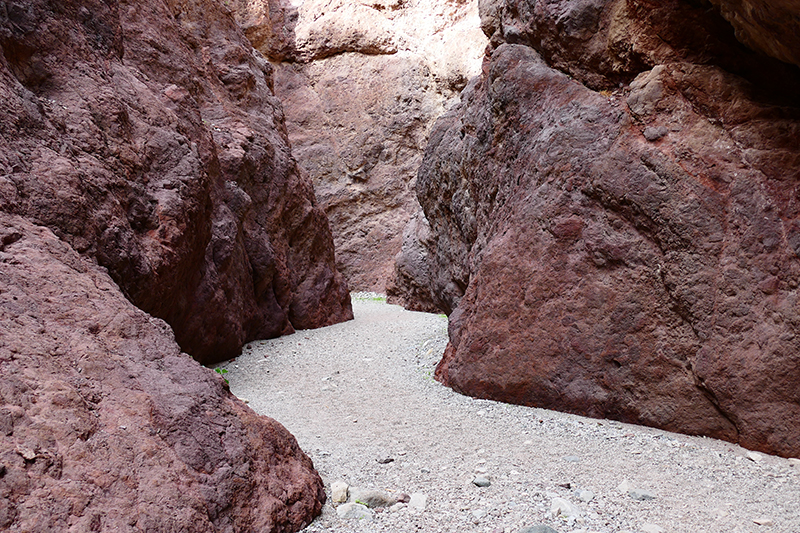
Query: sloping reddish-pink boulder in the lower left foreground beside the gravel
[[106, 426]]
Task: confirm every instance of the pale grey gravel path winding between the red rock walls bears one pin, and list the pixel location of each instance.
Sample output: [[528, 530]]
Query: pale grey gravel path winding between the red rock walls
[[359, 394]]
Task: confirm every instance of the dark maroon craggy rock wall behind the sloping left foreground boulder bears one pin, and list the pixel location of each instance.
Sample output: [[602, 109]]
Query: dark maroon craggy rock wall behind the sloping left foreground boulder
[[148, 138]]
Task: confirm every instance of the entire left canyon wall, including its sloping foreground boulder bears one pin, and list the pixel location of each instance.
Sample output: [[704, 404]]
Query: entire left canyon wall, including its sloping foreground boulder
[[145, 172]]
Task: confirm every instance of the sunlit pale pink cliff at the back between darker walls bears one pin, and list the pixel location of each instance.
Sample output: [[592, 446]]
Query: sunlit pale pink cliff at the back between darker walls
[[362, 84]]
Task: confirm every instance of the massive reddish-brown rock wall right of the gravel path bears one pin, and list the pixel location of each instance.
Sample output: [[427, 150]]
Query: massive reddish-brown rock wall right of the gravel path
[[614, 221]]
